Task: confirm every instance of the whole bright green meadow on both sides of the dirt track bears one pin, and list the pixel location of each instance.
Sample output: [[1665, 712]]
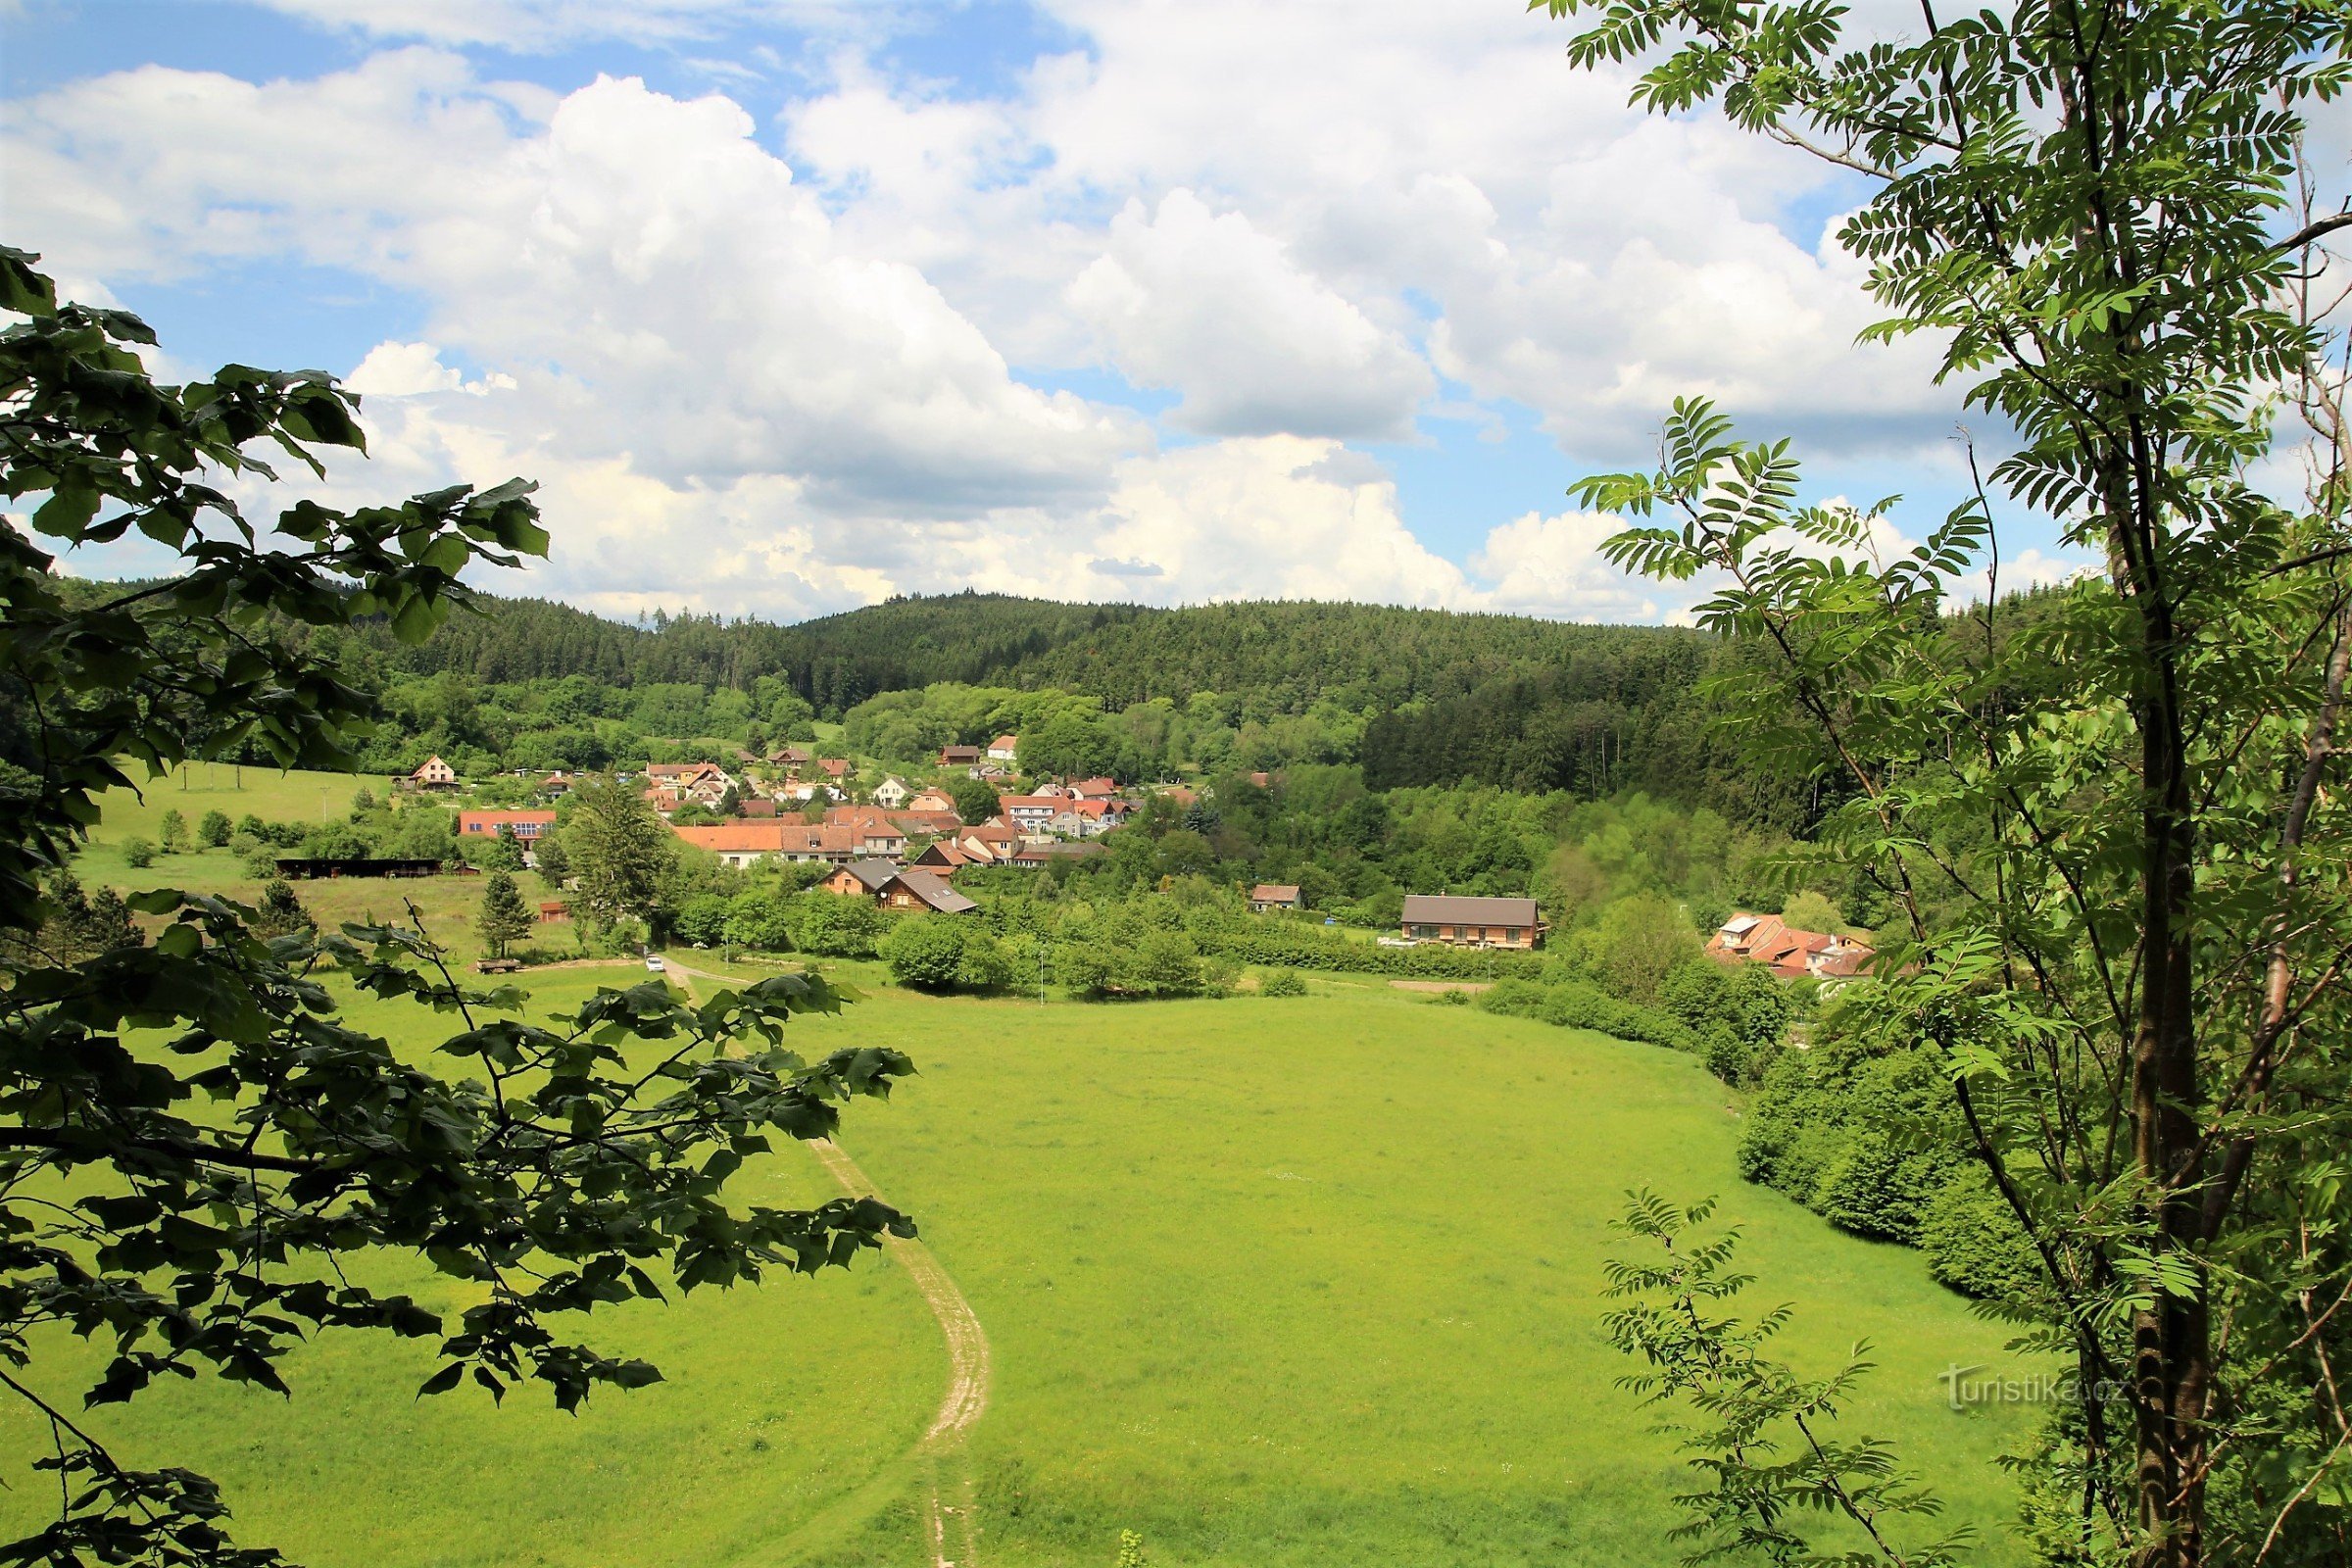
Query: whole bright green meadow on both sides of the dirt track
[[1274, 1282]]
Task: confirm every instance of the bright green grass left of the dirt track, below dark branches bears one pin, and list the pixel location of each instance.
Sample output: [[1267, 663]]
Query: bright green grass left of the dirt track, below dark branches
[[777, 1405]]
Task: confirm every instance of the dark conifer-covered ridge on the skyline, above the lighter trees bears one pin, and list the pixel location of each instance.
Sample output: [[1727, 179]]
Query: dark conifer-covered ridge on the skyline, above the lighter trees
[[1288, 655]]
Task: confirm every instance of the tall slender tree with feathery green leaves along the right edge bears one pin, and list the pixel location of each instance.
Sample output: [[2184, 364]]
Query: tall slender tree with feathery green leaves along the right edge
[[2116, 838]]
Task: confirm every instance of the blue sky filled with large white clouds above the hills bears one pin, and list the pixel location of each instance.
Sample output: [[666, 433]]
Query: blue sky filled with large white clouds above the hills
[[796, 304]]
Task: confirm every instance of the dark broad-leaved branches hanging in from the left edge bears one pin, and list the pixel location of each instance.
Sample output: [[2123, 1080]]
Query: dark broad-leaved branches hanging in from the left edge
[[208, 1137]]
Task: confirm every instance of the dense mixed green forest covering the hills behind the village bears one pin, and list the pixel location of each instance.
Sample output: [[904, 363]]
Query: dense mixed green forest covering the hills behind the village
[[1412, 697]]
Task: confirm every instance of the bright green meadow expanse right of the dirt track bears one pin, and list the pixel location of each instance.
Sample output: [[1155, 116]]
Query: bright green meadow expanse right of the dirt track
[[1314, 1282]]
